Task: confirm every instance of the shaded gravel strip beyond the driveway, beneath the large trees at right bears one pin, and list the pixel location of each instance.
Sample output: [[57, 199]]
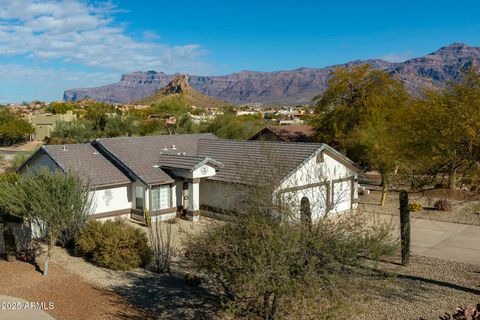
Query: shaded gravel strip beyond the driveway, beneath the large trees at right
[[466, 206]]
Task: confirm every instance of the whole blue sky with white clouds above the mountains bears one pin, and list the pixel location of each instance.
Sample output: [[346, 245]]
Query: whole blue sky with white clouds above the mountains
[[47, 46]]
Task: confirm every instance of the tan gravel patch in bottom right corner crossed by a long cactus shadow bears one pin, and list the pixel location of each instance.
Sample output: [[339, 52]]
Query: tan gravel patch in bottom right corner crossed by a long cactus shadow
[[426, 289]]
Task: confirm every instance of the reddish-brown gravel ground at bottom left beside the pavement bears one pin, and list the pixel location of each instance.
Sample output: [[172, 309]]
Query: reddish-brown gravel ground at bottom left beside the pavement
[[73, 298]]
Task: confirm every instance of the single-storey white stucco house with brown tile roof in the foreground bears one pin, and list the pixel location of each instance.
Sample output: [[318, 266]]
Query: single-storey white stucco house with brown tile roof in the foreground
[[195, 174]]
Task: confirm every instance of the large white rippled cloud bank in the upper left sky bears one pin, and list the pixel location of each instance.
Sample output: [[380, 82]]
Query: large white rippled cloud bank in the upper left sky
[[73, 31]]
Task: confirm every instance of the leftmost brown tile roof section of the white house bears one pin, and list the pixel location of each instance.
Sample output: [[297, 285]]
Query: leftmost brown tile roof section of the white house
[[89, 164]]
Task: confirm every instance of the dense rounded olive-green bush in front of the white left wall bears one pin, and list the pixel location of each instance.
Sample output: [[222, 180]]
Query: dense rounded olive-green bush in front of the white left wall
[[114, 244]]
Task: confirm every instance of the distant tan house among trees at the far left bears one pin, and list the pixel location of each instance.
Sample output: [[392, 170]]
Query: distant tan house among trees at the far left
[[44, 123]]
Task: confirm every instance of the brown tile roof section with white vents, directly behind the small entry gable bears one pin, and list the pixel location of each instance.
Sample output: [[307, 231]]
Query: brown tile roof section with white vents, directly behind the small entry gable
[[141, 154]]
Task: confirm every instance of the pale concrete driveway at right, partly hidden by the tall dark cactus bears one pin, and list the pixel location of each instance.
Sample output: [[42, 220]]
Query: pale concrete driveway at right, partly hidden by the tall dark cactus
[[442, 240]]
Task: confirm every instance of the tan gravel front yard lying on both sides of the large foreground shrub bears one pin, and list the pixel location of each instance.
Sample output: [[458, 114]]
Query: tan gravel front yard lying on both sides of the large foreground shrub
[[427, 288]]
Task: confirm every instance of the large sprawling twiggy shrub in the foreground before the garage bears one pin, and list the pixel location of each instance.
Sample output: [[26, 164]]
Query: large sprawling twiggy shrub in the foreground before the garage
[[266, 266]]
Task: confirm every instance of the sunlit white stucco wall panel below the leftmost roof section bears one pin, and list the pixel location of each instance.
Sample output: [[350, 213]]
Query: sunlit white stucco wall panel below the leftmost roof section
[[111, 199]]
